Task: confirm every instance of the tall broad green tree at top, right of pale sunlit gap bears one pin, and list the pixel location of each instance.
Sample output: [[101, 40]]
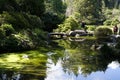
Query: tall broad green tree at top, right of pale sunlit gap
[[90, 10]]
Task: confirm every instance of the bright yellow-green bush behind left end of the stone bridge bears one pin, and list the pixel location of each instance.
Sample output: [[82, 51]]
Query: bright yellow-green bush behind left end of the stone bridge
[[68, 25]]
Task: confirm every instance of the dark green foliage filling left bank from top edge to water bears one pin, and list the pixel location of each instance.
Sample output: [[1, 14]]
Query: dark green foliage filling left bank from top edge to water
[[18, 19]]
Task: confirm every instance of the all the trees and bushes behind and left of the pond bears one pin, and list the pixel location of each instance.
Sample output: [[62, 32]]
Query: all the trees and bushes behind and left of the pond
[[24, 24]]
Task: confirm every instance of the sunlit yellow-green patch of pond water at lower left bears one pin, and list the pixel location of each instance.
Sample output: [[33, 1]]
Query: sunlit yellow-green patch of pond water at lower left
[[30, 65]]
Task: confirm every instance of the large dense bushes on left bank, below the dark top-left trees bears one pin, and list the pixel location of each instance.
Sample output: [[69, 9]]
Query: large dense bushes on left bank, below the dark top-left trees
[[19, 31]]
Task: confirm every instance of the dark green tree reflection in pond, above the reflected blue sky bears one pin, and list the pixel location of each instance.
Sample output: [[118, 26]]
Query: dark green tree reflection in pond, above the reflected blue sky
[[85, 61]]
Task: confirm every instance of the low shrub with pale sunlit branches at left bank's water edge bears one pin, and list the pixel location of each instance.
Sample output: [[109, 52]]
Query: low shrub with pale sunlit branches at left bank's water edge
[[19, 41]]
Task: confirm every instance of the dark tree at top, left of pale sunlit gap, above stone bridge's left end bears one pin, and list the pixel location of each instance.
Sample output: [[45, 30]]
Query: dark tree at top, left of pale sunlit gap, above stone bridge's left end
[[54, 14]]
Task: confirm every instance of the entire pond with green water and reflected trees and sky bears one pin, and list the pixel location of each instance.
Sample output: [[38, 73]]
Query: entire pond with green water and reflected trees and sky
[[62, 60]]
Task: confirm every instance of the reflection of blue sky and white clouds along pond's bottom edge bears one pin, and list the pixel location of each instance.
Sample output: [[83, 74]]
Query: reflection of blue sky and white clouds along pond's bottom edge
[[58, 72]]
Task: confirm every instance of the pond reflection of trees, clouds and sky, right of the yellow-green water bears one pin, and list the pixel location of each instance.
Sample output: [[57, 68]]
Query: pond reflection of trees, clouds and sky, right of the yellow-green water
[[81, 63]]
